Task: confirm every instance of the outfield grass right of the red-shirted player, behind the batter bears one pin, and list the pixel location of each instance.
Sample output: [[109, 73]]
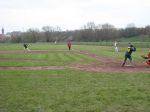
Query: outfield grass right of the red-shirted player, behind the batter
[[109, 51]]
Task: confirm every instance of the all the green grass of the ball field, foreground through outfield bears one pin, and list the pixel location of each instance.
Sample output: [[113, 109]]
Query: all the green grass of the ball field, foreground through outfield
[[70, 90]]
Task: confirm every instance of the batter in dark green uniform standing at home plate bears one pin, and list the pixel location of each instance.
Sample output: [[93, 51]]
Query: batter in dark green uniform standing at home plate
[[128, 53]]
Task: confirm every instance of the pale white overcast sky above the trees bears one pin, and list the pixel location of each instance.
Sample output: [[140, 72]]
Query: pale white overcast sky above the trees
[[21, 15]]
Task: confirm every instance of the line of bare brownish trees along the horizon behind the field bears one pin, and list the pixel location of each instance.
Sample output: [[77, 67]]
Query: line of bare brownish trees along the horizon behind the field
[[88, 33]]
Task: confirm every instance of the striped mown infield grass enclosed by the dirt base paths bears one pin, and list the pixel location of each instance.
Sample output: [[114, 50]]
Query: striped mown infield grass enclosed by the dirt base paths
[[42, 59]]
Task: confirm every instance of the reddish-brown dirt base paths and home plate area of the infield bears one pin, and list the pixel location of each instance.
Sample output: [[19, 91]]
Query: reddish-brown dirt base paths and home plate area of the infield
[[102, 64]]
